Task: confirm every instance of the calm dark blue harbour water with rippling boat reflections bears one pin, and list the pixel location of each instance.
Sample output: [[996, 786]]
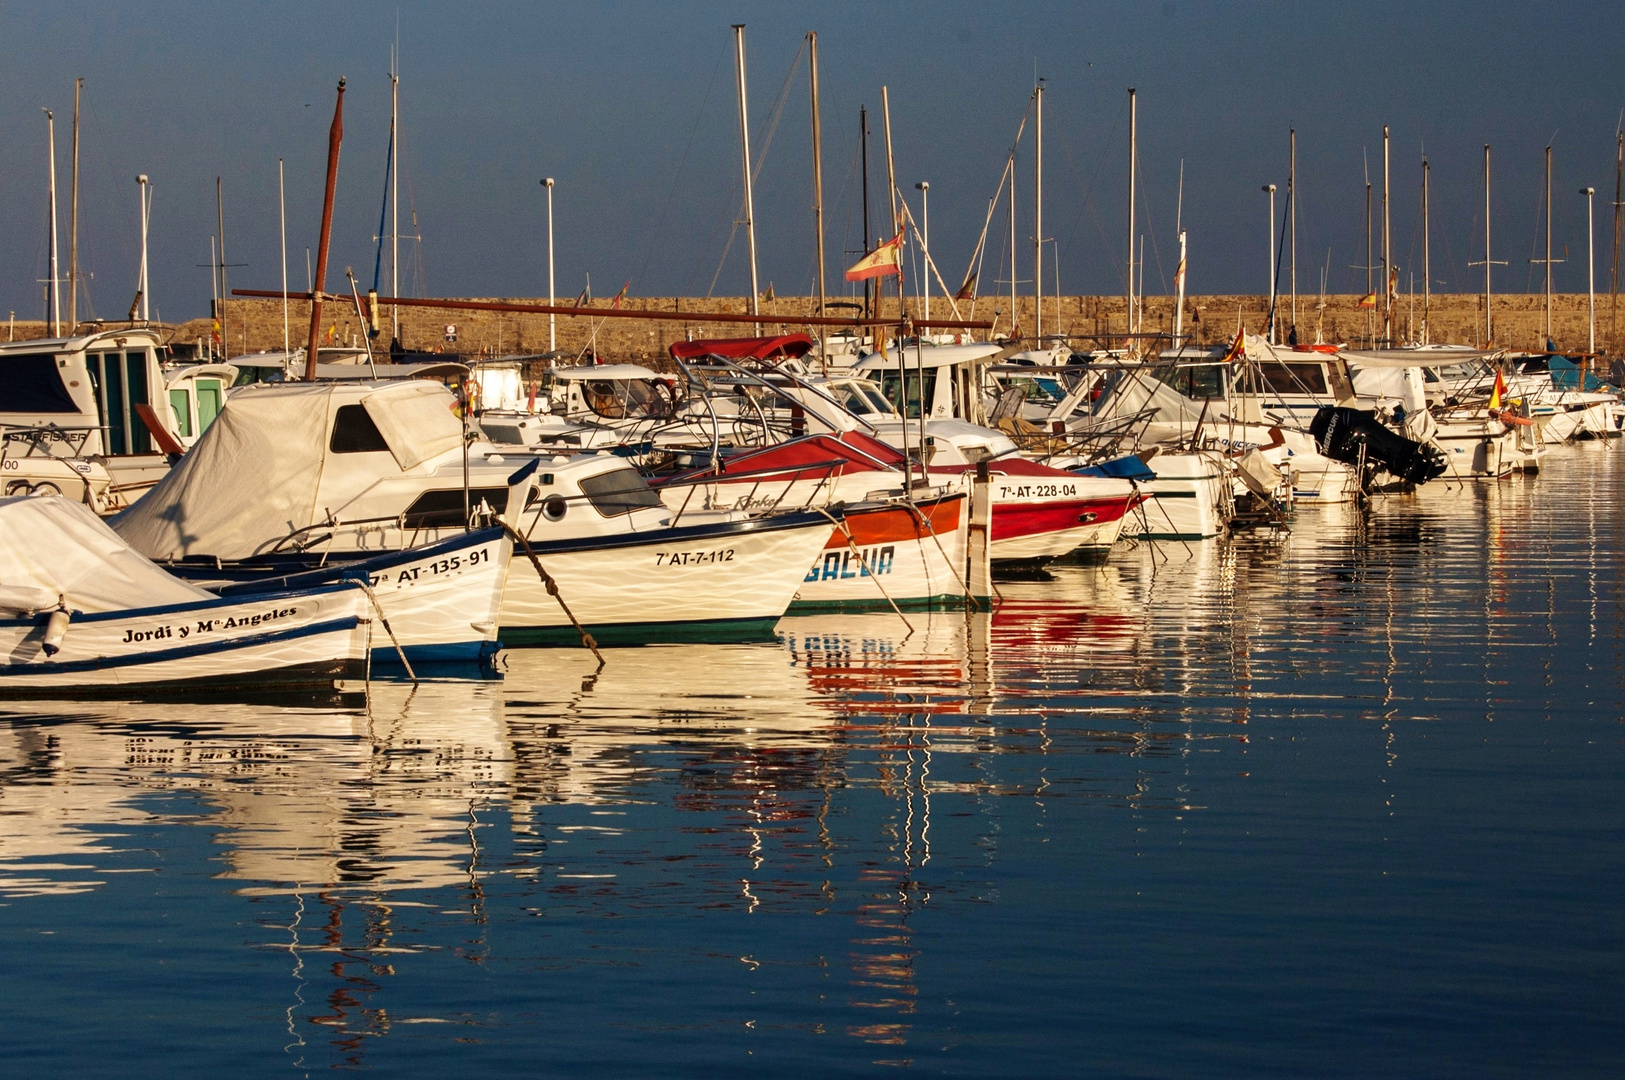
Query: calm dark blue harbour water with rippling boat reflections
[[1343, 803]]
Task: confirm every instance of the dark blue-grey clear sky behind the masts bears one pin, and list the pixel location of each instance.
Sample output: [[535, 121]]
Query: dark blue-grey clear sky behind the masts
[[631, 108]]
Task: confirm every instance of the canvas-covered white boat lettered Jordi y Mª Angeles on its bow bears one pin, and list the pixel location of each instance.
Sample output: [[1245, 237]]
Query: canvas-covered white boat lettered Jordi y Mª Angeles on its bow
[[82, 613]]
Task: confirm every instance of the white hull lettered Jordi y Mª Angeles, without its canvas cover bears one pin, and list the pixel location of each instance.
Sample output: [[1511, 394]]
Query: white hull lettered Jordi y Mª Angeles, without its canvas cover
[[267, 644]]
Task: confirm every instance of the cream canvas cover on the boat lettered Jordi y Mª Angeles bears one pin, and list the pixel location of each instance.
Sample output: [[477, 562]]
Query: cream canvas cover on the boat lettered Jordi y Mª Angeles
[[54, 550]]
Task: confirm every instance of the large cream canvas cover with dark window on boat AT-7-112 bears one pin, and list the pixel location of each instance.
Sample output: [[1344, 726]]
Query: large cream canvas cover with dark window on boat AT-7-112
[[259, 469]]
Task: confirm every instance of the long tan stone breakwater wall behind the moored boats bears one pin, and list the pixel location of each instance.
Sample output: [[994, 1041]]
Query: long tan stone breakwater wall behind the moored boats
[[254, 326]]
